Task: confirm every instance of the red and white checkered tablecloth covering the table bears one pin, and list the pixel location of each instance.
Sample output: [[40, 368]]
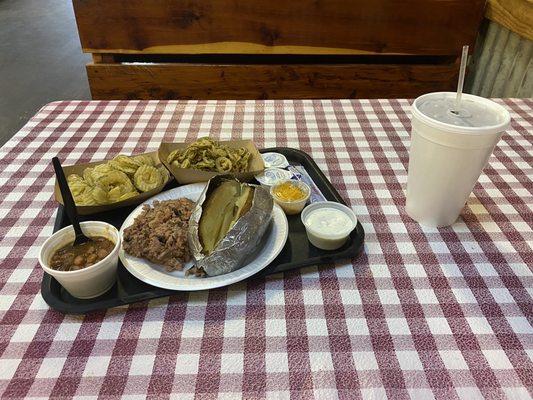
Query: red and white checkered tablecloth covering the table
[[444, 313]]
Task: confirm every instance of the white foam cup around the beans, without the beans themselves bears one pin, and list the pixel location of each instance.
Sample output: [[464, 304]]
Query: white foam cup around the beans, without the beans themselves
[[88, 282]]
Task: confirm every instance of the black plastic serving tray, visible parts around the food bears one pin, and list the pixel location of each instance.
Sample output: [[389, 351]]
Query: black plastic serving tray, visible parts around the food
[[297, 253]]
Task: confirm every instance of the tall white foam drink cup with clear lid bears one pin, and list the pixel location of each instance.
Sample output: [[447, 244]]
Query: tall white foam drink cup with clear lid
[[448, 153]]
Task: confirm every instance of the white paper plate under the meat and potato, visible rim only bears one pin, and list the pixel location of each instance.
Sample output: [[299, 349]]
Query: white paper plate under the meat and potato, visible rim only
[[156, 275]]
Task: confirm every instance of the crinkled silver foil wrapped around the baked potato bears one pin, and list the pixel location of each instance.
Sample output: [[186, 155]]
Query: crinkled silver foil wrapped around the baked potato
[[241, 240]]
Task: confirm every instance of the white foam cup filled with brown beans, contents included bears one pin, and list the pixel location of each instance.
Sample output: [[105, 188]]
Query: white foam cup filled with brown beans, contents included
[[87, 270]]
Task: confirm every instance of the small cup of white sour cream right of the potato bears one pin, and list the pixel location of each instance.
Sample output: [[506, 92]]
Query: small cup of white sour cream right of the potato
[[328, 224]]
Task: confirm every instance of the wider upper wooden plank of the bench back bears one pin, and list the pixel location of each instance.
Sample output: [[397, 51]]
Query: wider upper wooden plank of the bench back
[[430, 27]]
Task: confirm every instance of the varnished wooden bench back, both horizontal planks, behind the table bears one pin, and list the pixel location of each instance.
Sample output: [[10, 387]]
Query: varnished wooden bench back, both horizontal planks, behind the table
[[259, 49]]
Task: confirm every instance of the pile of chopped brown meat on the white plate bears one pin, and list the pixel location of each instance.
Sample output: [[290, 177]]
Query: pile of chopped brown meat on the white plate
[[159, 233]]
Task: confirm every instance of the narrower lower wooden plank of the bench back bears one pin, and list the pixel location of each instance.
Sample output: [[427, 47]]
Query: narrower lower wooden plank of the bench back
[[201, 81]]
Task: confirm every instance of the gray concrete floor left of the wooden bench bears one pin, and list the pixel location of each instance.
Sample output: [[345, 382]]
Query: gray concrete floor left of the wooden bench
[[40, 60]]
